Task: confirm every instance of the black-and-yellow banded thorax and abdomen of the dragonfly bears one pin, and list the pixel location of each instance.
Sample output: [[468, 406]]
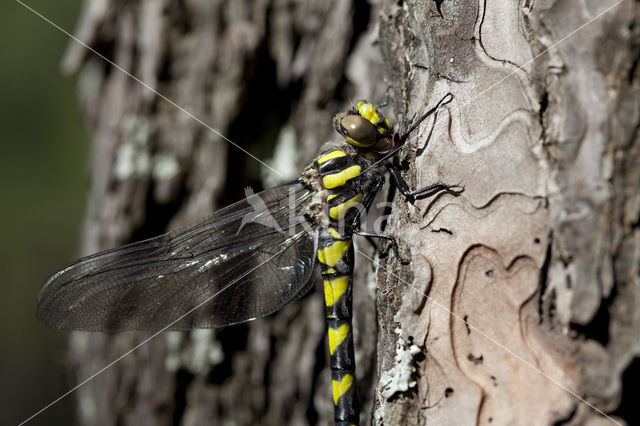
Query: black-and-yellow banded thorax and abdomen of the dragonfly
[[342, 175]]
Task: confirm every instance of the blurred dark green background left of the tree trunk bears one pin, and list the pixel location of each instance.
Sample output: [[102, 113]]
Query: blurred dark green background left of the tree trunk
[[44, 186]]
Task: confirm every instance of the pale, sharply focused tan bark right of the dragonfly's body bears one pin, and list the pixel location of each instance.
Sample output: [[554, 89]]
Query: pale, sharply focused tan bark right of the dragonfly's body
[[522, 302]]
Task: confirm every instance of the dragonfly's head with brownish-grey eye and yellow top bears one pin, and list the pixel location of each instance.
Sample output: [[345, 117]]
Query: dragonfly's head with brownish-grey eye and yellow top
[[365, 127]]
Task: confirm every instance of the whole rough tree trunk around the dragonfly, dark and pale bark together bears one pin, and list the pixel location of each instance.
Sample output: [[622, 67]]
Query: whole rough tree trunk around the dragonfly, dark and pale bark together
[[539, 255]]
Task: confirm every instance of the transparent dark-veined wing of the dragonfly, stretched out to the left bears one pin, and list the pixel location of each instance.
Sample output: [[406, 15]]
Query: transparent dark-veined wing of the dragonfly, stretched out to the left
[[245, 261]]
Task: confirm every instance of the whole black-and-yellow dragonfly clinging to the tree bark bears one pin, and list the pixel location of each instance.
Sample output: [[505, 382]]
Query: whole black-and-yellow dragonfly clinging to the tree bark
[[252, 257]]
